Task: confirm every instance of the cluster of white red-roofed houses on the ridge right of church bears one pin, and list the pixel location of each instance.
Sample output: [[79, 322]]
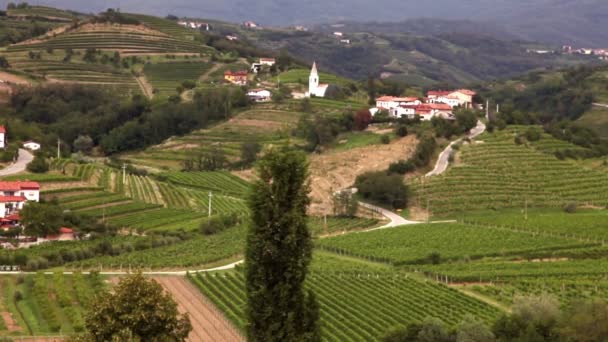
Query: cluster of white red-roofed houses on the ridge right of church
[[437, 103]]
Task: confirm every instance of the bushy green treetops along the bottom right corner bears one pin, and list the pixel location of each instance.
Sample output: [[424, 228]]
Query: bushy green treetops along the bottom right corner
[[534, 318]]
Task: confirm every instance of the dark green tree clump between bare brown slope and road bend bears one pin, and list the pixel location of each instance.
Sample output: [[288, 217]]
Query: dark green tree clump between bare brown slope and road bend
[[383, 188]]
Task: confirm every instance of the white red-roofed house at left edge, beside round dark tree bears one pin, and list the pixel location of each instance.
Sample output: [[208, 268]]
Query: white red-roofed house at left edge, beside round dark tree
[[13, 196]]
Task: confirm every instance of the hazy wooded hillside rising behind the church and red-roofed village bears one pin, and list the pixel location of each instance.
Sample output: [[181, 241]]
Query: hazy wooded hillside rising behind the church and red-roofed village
[[410, 53]]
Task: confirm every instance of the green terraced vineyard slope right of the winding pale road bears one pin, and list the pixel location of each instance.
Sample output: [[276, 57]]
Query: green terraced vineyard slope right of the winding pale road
[[498, 173]]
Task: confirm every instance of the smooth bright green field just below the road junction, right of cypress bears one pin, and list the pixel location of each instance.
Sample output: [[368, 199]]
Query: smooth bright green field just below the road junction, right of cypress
[[430, 243]]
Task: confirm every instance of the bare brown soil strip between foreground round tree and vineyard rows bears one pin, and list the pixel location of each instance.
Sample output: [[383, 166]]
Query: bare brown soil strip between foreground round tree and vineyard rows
[[208, 322]]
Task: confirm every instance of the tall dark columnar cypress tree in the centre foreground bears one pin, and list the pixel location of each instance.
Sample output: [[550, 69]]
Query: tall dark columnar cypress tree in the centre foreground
[[279, 250]]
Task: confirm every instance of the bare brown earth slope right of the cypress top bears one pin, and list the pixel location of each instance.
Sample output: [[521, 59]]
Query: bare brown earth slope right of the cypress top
[[334, 171]]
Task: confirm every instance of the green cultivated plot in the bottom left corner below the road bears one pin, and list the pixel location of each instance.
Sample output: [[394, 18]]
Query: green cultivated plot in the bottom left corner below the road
[[46, 305]]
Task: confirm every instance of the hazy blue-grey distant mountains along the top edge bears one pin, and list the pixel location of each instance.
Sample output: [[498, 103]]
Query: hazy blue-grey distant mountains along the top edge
[[575, 22]]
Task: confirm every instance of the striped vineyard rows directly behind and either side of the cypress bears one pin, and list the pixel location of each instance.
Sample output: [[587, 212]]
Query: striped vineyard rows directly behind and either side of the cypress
[[356, 307]]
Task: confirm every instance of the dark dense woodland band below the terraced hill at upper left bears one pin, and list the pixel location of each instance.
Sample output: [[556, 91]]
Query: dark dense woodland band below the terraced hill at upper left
[[116, 124]]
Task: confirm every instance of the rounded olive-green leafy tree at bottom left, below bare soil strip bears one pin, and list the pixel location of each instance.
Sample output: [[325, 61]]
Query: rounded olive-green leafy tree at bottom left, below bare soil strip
[[136, 310]]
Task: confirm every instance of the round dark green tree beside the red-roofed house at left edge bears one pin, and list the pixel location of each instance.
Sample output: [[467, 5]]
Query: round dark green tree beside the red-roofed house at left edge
[[41, 219]]
